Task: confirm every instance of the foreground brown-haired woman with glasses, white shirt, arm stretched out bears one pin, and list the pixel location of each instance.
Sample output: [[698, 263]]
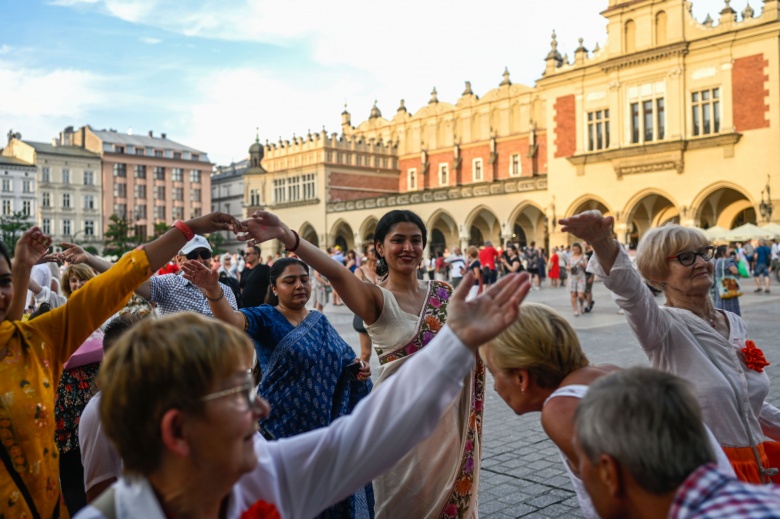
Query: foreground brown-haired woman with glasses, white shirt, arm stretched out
[[179, 404]]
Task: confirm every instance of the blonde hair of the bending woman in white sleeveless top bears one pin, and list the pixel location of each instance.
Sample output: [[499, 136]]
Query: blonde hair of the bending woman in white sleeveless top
[[540, 341]]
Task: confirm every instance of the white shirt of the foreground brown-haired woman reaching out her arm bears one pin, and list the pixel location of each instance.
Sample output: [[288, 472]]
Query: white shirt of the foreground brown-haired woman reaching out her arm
[[302, 475]]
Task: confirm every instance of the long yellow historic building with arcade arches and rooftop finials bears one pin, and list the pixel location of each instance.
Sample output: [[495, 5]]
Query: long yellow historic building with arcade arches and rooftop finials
[[669, 119]]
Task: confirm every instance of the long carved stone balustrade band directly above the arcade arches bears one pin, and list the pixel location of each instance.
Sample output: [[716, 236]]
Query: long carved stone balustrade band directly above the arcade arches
[[501, 187]]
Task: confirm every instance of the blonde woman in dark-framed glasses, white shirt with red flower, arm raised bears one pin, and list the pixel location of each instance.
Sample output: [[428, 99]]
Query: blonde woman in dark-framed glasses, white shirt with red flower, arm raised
[[689, 337]]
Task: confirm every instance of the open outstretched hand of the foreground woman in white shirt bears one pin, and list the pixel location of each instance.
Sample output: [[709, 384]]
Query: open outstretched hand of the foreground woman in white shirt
[[479, 320]]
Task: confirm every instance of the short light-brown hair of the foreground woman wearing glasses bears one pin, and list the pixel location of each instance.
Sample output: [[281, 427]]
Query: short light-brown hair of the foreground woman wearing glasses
[[158, 365]]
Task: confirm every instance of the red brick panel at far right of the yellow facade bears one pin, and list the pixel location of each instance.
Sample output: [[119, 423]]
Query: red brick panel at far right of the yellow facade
[[749, 92]]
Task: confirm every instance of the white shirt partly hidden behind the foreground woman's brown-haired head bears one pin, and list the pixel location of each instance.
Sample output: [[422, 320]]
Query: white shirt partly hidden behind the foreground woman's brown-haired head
[[100, 459]]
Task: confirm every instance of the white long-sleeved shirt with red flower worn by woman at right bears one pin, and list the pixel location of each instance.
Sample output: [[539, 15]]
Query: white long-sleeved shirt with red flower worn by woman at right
[[675, 340]]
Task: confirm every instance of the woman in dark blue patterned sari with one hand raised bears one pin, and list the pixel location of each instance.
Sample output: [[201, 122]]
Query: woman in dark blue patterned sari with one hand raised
[[307, 376]]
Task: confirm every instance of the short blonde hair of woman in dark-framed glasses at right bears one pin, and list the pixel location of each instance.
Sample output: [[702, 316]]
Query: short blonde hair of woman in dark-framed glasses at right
[[661, 242]]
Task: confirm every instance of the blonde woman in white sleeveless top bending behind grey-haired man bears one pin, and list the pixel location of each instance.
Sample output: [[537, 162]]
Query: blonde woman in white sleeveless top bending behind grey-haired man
[[538, 366]]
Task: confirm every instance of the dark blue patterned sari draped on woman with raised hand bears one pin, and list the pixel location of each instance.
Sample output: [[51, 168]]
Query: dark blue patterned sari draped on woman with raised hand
[[307, 386]]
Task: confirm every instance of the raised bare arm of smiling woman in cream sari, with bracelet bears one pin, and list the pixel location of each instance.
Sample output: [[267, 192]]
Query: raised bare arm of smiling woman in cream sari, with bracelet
[[364, 299]]
